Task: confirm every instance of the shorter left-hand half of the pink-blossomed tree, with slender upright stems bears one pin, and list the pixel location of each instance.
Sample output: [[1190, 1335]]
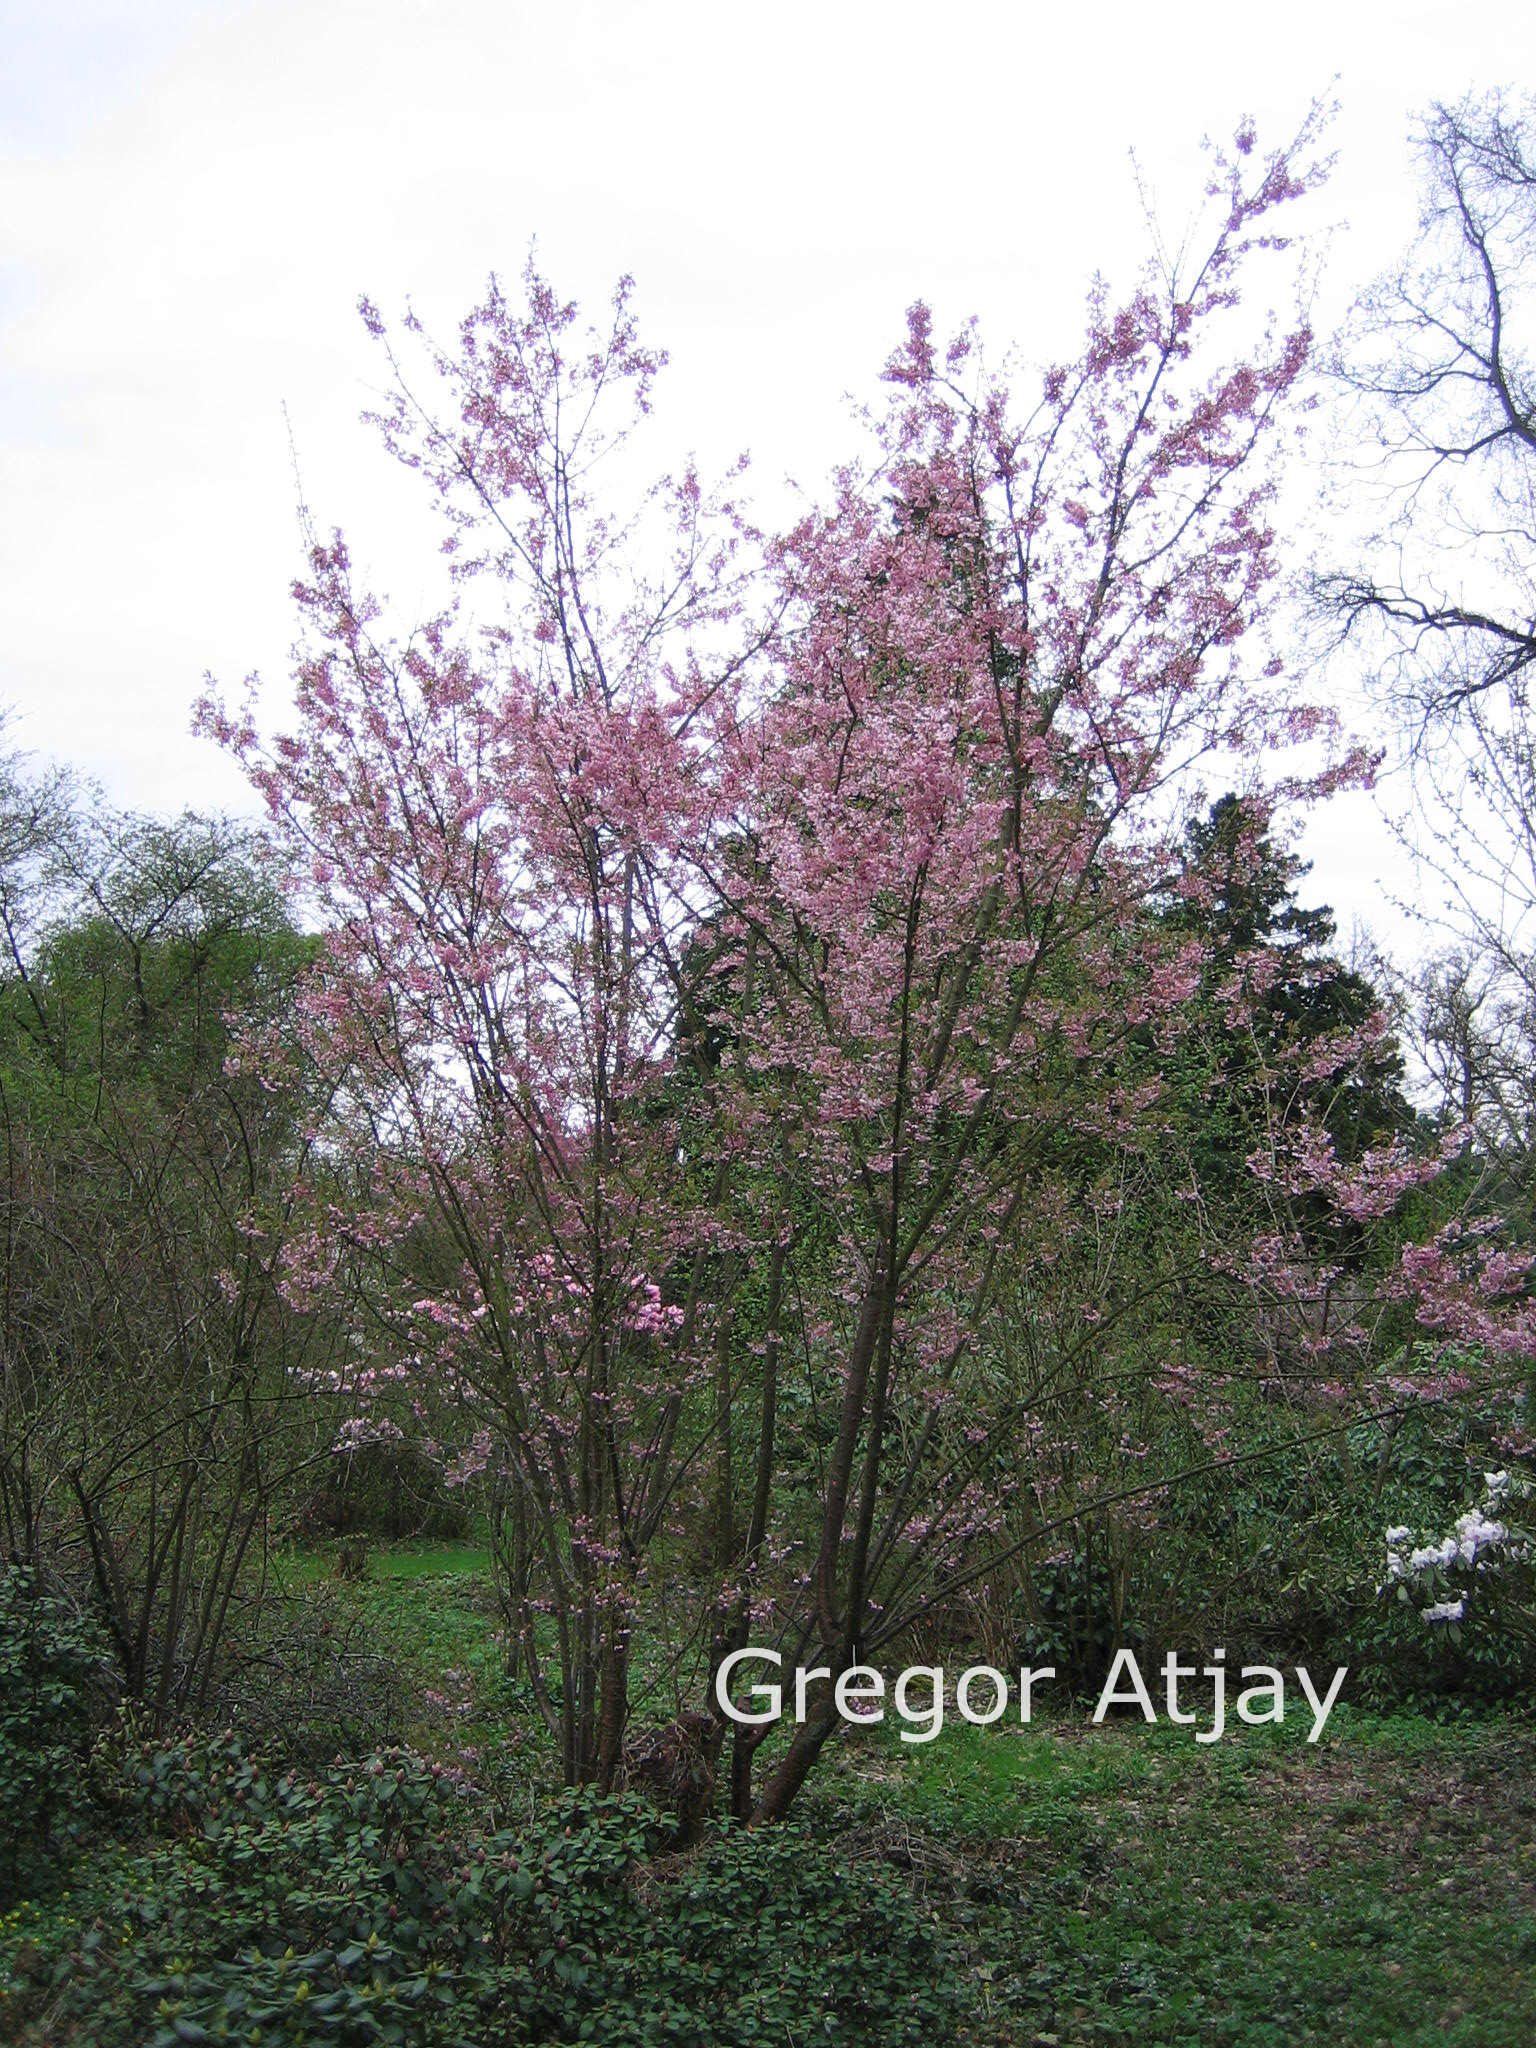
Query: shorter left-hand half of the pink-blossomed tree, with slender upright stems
[[497, 828]]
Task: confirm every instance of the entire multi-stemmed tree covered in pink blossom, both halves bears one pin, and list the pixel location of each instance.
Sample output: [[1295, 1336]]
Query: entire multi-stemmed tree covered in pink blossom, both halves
[[753, 959]]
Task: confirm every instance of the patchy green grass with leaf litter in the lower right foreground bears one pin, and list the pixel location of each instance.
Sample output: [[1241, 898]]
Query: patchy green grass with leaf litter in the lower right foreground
[[1121, 1885]]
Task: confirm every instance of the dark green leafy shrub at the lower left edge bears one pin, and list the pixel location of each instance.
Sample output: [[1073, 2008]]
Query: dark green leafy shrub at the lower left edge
[[52, 1687]]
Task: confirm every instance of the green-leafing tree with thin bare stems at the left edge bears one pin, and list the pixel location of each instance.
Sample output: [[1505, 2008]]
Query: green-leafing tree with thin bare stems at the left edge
[[148, 1416]]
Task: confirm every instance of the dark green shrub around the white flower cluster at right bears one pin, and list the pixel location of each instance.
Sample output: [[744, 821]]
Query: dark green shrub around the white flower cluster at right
[[1281, 1560]]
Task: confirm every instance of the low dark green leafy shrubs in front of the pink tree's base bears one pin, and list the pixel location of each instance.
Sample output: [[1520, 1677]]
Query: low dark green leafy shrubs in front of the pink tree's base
[[376, 1904]]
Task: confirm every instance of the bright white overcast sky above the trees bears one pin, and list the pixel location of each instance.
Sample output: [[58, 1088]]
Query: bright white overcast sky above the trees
[[194, 194]]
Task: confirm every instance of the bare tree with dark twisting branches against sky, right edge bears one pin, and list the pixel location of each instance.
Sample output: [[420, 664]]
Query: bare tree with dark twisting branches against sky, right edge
[[1443, 599]]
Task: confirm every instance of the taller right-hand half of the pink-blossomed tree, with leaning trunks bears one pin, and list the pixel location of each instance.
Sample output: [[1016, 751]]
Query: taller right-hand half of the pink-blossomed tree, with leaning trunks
[[1011, 644]]
